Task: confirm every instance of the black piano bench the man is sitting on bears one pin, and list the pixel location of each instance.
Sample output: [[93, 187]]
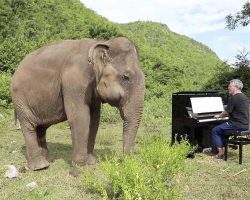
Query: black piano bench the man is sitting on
[[239, 138]]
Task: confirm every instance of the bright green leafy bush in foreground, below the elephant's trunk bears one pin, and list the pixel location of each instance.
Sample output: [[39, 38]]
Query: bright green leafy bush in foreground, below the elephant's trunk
[[153, 173]]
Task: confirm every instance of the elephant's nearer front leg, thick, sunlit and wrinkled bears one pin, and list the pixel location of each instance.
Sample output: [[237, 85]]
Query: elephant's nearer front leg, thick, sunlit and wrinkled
[[78, 115]]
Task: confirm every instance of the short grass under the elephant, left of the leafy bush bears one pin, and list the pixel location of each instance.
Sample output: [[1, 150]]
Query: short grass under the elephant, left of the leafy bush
[[54, 182]]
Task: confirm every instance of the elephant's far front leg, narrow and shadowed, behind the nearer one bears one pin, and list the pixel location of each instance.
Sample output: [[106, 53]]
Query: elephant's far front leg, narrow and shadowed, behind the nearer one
[[94, 124]]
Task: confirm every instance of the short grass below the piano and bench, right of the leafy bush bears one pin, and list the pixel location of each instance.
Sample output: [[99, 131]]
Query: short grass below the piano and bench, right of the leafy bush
[[217, 179]]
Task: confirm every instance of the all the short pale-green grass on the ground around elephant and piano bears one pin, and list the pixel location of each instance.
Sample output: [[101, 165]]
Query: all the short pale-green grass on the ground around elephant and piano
[[207, 178]]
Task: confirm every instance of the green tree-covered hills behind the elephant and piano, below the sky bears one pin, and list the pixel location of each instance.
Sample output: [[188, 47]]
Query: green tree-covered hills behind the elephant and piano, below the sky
[[171, 62]]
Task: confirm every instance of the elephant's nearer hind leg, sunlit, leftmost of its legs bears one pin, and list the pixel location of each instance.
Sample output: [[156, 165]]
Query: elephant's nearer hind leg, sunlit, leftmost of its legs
[[35, 157]]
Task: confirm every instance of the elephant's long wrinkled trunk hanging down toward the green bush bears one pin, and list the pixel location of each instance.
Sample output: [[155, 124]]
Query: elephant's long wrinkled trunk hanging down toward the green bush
[[131, 113]]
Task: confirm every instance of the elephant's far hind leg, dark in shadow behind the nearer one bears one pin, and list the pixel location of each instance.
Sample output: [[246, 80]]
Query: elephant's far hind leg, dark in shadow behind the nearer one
[[41, 136]]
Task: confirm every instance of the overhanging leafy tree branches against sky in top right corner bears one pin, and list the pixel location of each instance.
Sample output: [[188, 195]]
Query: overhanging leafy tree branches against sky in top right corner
[[240, 18]]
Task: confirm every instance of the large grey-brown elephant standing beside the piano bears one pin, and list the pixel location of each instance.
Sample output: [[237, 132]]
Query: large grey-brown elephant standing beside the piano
[[69, 80]]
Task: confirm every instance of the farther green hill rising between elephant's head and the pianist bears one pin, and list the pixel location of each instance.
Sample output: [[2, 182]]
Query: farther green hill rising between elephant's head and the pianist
[[171, 61]]
